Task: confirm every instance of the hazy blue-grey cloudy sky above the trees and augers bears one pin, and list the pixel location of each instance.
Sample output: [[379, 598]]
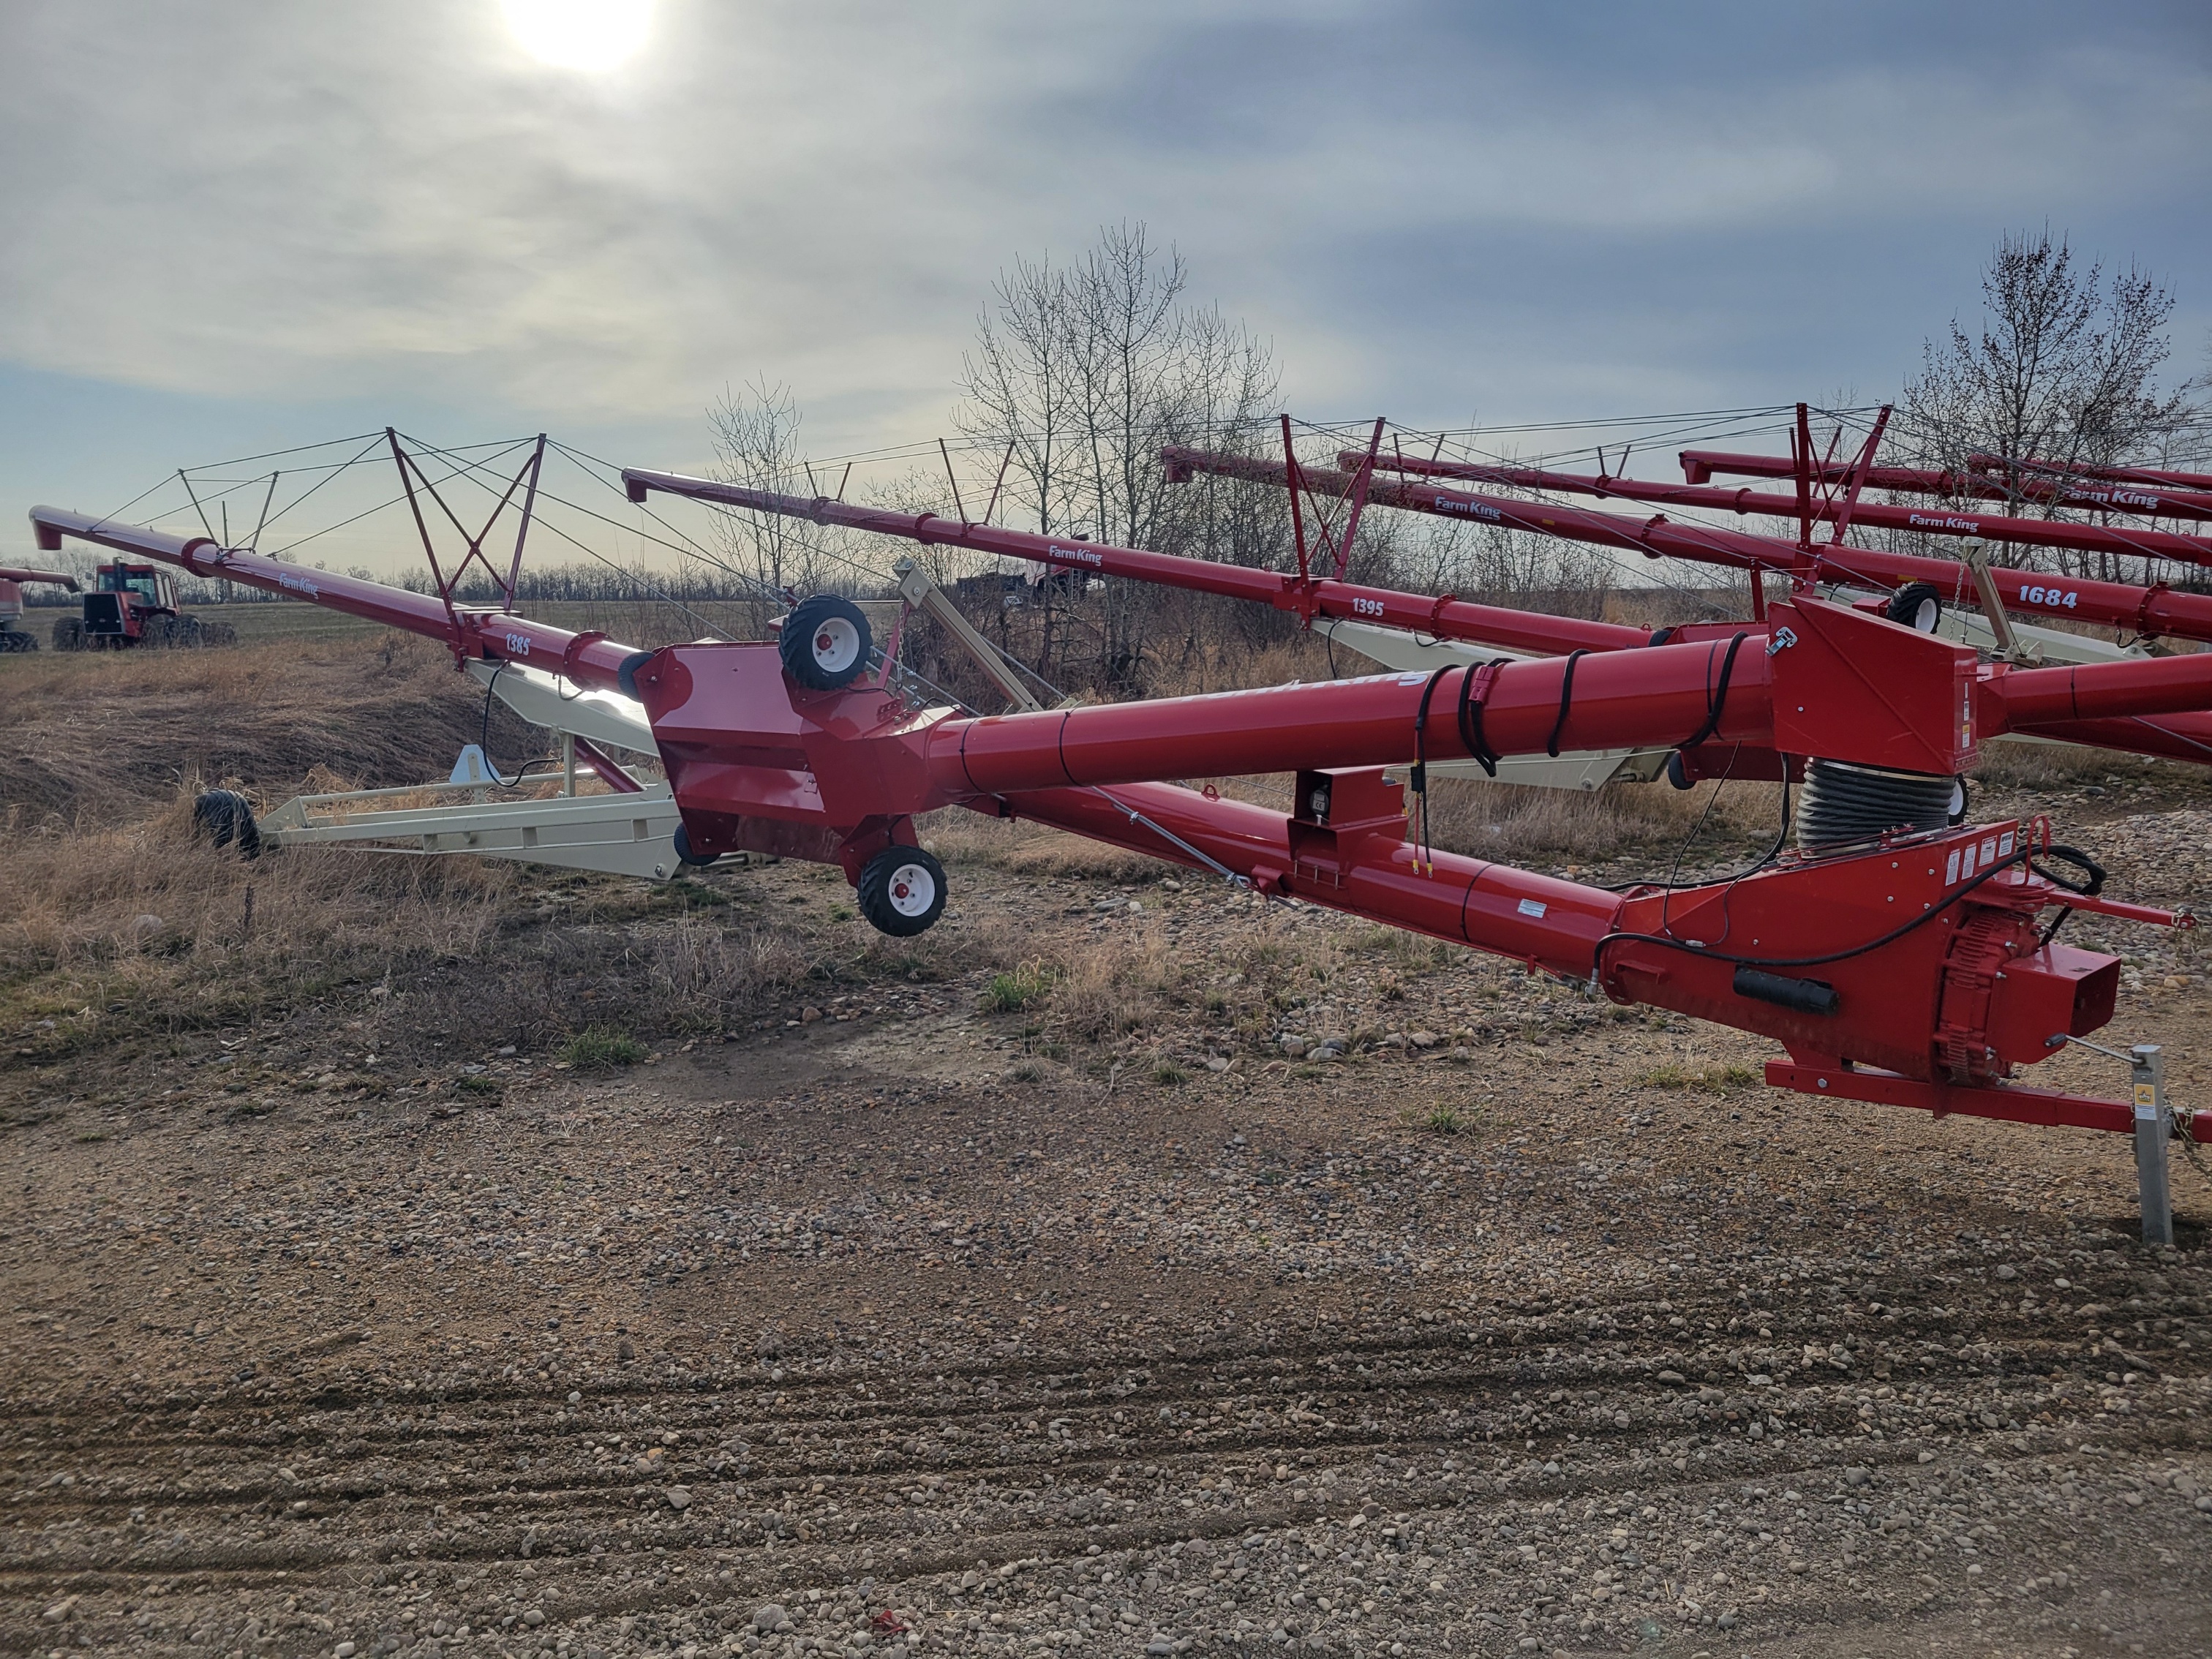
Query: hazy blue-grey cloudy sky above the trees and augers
[[236, 227]]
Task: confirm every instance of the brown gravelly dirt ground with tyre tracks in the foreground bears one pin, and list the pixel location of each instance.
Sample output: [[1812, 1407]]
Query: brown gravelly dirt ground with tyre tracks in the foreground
[[1041, 1297]]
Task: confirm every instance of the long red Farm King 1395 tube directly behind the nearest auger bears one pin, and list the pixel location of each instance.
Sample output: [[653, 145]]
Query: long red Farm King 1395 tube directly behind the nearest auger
[[1326, 598]]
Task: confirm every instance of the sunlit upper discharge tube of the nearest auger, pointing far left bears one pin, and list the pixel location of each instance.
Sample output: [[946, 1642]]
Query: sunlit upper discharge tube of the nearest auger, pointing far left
[[492, 636]]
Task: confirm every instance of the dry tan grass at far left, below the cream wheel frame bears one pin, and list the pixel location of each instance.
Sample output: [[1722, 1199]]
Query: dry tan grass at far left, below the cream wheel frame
[[149, 930]]
